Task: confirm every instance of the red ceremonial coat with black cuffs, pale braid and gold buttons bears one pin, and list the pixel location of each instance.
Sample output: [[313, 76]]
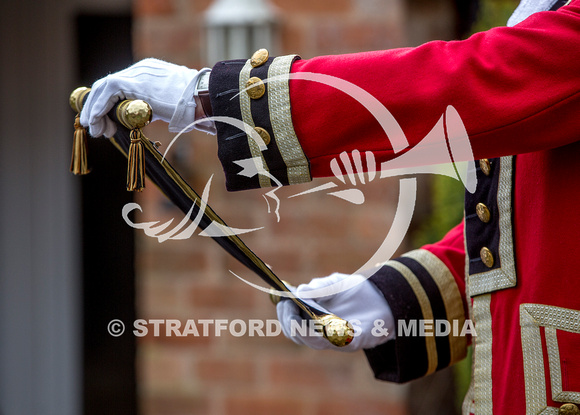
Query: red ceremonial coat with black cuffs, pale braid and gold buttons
[[517, 92]]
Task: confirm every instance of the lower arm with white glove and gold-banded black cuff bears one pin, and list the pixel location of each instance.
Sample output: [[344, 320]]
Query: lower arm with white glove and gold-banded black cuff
[[424, 286]]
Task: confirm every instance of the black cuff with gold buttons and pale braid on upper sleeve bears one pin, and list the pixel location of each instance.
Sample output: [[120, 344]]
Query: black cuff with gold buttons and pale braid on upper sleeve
[[264, 108]]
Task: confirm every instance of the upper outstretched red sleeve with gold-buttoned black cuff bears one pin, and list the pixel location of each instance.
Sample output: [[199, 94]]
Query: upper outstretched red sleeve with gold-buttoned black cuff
[[516, 90]]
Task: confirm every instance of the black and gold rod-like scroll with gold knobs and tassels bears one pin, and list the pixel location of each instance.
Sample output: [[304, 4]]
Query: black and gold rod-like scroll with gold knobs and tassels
[[144, 158]]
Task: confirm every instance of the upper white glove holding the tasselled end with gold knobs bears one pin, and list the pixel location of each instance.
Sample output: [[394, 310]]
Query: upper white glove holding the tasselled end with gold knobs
[[167, 87]]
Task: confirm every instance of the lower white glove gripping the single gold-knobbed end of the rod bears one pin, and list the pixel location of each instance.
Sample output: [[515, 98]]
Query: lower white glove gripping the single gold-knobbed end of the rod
[[363, 305]]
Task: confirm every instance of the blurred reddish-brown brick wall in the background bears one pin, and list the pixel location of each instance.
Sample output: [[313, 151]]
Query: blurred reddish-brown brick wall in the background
[[315, 236]]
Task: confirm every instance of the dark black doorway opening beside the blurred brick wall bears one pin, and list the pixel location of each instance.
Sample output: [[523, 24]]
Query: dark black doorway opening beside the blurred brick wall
[[109, 385]]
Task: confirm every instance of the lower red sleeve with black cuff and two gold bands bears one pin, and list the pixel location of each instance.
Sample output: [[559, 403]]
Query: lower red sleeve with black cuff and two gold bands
[[425, 285]]
